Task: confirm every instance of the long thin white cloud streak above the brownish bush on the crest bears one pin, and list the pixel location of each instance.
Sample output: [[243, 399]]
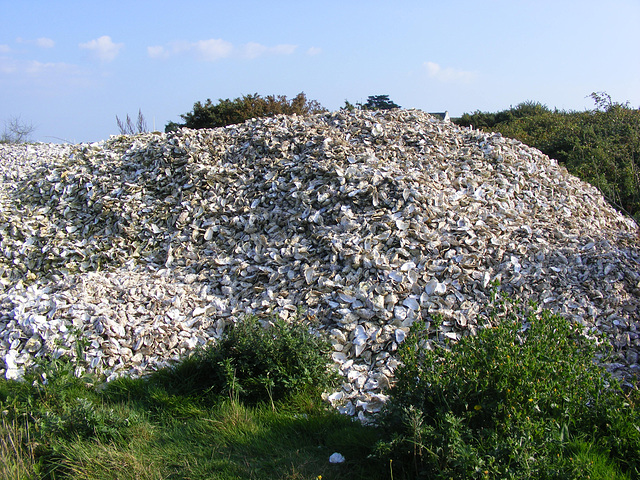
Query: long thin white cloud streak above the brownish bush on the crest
[[215, 49]]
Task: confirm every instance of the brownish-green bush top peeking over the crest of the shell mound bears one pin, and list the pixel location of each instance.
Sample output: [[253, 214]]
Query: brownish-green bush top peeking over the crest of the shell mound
[[228, 112]]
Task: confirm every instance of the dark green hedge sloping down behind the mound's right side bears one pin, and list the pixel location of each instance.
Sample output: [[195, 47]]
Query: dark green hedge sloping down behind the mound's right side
[[601, 146]]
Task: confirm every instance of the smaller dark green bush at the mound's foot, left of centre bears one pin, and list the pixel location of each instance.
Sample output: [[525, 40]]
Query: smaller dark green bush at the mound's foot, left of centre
[[253, 363]]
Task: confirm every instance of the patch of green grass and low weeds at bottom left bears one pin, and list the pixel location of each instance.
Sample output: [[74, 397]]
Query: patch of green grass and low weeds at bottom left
[[139, 429]]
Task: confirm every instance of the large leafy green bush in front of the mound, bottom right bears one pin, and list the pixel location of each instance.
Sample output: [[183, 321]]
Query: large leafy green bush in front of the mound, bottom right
[[516, 401]]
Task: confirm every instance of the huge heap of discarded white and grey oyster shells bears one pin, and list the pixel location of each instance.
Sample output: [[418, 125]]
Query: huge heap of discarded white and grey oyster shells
[[144, 247]]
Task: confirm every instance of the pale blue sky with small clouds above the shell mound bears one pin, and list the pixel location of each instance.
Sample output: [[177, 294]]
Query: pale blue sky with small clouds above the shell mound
[[69, 67]]
